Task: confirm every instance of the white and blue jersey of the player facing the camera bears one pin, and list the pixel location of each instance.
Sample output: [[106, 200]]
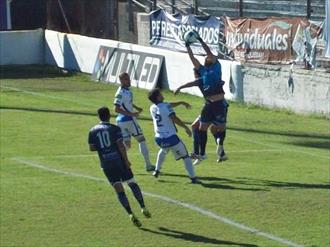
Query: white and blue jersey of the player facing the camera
[[124, 99]]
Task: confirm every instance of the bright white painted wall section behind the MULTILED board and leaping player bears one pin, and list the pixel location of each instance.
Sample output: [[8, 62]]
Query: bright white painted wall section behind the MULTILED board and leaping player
[[77, 52]]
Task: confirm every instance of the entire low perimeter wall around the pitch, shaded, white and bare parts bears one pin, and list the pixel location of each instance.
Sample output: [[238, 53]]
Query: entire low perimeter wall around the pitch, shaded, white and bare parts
[[304, 92]]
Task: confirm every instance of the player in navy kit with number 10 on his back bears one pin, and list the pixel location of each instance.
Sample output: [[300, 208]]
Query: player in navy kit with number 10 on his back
[[107, 140]]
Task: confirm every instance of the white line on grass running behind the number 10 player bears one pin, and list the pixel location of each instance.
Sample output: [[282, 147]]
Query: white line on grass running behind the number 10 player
[[173, 201]]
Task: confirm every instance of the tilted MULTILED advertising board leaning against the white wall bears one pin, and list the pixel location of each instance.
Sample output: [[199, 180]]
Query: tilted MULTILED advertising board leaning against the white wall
[[143, 68]]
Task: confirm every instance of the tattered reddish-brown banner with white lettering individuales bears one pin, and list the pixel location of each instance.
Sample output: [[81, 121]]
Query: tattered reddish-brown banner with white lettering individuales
[[262, 40]]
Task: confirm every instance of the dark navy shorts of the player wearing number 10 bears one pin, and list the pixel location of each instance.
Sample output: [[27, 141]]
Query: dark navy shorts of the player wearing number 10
[[116, 171]]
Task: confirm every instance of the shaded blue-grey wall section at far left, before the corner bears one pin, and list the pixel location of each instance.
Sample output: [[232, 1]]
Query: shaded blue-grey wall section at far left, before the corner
[[21, 47]]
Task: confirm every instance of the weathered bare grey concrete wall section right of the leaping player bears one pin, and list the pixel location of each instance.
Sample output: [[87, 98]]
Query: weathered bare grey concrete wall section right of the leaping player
[[307, 92]]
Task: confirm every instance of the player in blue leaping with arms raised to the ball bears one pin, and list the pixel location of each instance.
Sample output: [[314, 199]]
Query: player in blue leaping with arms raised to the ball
[[215, 108]]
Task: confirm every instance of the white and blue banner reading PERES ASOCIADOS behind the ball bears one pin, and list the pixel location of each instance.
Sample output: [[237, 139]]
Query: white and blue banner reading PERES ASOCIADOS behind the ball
[[166, 31]]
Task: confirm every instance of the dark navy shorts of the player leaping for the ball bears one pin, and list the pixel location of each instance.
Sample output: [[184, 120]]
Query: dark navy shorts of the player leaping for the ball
[[215, 112]]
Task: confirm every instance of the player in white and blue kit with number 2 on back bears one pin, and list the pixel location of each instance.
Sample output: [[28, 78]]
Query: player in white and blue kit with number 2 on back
[[164, 120]]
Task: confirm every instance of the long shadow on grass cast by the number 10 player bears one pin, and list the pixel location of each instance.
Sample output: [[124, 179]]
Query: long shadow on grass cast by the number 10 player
[[194, 237]]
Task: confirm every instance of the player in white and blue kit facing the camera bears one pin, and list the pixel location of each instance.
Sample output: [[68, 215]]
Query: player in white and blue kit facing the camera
[[126, 119]]
